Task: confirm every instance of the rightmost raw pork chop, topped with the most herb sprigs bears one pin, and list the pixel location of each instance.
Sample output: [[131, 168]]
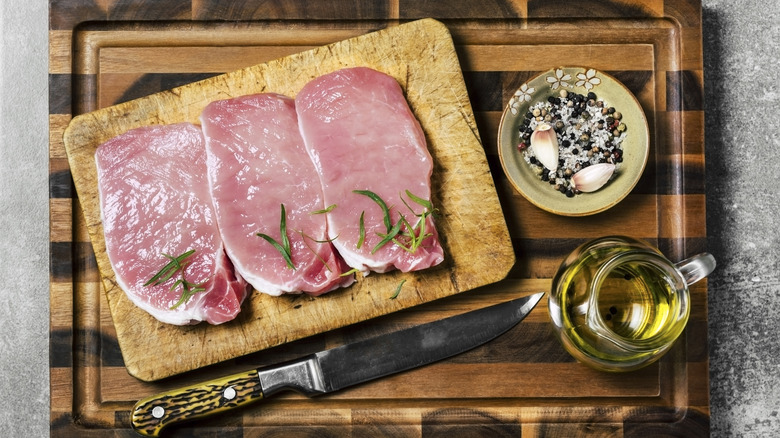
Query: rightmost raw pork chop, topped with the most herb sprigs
[[361, 135]]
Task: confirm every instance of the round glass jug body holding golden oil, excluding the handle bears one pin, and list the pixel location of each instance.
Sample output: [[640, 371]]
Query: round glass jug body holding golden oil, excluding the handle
[[618, 304]]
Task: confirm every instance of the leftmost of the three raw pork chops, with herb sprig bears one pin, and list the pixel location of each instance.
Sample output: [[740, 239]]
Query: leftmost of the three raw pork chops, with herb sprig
[[155, 200]]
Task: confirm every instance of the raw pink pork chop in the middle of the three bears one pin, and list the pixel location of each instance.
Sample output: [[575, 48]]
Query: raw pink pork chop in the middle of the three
[[257, 163]]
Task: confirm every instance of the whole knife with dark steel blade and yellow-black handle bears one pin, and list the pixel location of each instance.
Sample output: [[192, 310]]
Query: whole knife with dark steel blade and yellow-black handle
[[336, 368]]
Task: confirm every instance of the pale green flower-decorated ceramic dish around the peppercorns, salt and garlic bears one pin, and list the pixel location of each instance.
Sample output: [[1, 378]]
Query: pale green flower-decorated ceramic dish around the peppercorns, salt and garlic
[[578, 80]]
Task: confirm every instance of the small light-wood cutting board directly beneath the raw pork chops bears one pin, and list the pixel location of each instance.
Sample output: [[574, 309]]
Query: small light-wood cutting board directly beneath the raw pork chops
[[421, 56]]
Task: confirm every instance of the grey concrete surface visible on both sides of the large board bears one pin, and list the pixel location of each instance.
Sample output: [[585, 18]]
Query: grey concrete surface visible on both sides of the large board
[[742, 62]]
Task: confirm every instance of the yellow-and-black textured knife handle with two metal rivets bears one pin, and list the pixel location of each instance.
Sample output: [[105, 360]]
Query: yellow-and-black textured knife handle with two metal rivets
[[152, 414]]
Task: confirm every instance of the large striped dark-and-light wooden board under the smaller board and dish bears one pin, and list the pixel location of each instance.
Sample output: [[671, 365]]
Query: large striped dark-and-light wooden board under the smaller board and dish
[[522, 384]]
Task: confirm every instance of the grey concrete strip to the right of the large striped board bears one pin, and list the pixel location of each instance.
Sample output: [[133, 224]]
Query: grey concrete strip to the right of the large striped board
[[742, 62]]
